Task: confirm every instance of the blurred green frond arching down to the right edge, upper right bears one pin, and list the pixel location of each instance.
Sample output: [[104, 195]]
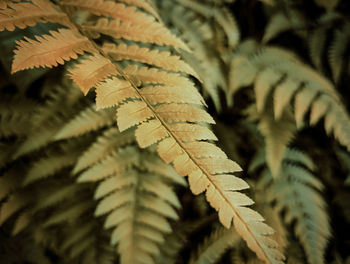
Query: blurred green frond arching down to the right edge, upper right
[[289, 80]]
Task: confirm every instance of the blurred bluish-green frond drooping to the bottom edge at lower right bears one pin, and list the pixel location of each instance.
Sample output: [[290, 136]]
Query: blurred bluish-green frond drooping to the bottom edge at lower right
[[297, 191]]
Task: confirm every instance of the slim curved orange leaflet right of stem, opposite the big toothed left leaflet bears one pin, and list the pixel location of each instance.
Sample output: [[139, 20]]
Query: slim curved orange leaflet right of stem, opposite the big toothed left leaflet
[[153, 57]]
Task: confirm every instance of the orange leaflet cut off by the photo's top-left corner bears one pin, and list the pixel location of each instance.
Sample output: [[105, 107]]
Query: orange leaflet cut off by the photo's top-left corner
[[24, 14]]
